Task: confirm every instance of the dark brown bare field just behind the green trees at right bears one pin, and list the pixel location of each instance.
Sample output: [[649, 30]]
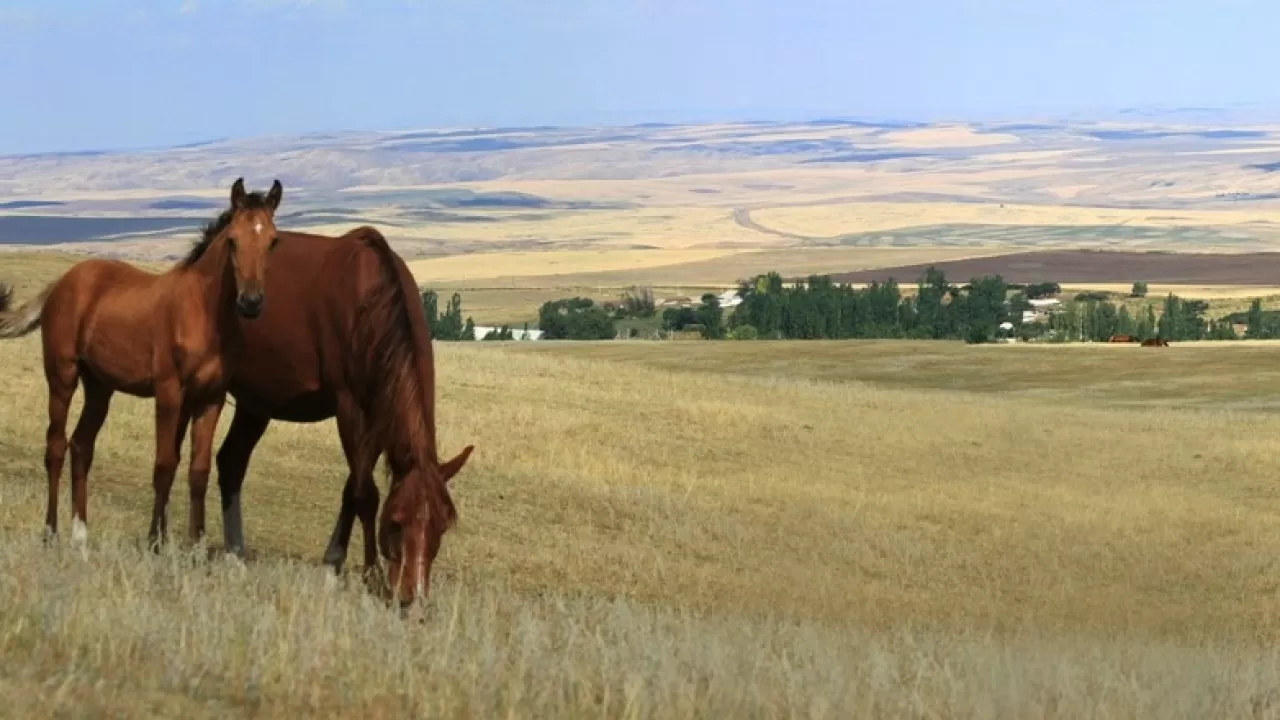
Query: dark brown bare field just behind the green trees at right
[[1096, 267]]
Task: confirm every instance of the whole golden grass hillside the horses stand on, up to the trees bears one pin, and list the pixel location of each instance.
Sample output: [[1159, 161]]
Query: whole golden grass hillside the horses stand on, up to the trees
[[679, 530]]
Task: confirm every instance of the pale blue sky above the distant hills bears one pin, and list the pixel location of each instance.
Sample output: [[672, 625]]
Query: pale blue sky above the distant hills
[[106, 75]]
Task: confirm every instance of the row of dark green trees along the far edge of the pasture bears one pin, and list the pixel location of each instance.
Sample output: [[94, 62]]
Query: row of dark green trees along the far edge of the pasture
[[820, 309]]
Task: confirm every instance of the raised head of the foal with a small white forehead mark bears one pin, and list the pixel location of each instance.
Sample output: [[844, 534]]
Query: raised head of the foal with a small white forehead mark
[[252, 238]]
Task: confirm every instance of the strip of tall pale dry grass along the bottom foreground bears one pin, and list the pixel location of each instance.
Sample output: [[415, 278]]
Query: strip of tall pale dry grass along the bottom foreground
[[121, 632]]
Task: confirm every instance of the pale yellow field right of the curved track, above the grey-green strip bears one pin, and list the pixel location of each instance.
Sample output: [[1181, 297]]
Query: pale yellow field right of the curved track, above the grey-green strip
[[833, 220]]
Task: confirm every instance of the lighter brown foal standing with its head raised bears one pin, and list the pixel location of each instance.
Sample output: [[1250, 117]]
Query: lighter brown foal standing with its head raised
[[175, 336]]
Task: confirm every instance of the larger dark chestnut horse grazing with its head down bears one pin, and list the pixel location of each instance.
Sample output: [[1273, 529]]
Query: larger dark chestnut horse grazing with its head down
[[346, 338]]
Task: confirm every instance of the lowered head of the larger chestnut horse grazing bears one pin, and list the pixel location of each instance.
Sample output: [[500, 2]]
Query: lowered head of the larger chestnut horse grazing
[[415, 518]]
